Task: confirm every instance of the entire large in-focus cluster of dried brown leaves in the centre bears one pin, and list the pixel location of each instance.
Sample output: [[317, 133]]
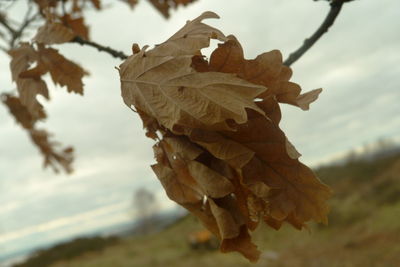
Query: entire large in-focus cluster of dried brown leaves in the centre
[[220, 151]]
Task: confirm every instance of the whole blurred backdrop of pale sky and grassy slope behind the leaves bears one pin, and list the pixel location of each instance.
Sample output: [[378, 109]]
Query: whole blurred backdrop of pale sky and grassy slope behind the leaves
[[114, 204]]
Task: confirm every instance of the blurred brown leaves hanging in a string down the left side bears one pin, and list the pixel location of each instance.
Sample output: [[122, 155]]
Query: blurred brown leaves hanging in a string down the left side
[[29, 63]]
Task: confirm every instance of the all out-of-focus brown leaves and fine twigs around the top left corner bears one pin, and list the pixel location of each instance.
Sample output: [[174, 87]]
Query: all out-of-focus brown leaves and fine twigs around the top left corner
[[63, 22]]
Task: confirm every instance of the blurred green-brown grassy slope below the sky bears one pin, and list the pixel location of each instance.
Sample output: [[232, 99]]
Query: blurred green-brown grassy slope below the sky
[[364, 230]]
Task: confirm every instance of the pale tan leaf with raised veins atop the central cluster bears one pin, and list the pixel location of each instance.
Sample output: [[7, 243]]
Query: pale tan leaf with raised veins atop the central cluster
[[167, 88]]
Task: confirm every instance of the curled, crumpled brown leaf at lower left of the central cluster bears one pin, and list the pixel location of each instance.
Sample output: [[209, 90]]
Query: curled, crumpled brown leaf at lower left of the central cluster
[[188, 180]]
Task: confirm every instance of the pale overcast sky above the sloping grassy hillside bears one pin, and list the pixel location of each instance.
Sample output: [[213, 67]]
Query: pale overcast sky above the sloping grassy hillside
[[356, 63]]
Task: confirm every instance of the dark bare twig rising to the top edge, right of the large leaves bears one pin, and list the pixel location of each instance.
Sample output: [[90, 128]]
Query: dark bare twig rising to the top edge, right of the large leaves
[[336, 6]]
